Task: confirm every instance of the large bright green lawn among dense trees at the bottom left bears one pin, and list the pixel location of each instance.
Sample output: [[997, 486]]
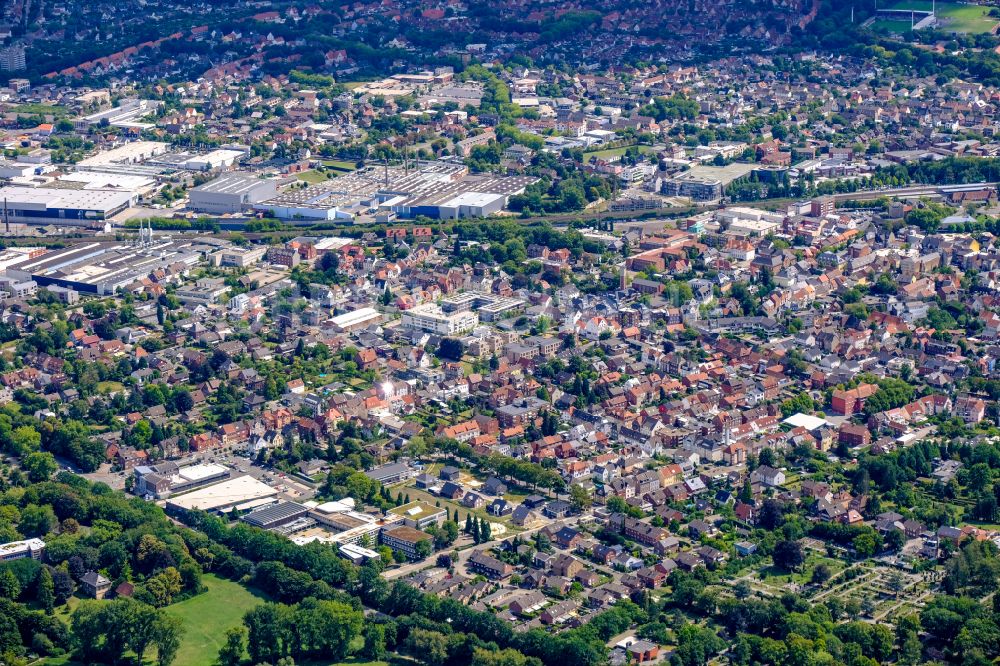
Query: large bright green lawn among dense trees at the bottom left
[[207, 617]]
